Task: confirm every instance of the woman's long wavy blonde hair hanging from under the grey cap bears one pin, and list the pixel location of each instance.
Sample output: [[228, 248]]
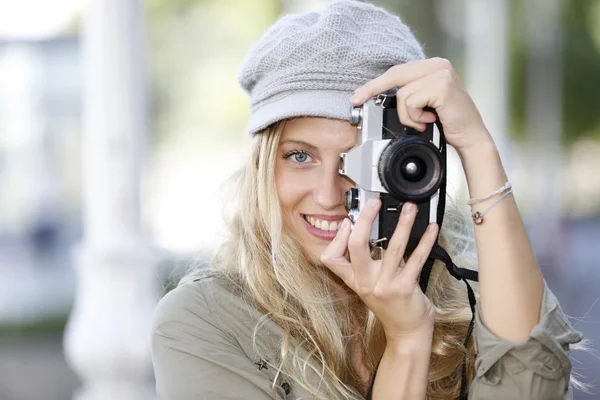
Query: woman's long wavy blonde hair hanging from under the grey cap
[[270, 269]]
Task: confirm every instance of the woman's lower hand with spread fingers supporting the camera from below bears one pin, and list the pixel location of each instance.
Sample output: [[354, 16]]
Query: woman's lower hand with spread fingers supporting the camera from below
[[389, 287]]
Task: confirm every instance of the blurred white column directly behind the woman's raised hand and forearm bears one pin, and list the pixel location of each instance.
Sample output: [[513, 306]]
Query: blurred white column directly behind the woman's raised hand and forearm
[[482, 25]]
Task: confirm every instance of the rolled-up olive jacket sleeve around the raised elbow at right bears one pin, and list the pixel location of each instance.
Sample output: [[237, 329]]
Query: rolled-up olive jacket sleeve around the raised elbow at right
[[537, 368]]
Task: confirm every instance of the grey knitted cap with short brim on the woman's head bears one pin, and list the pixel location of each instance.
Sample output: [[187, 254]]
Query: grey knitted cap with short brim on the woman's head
[[309, 64]]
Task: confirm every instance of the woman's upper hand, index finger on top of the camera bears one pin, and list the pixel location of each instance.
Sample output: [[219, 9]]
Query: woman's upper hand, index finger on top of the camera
[[430, 83]]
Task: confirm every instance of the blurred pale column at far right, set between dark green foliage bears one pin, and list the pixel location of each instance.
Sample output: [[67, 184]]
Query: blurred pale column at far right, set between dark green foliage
[[543, 113]]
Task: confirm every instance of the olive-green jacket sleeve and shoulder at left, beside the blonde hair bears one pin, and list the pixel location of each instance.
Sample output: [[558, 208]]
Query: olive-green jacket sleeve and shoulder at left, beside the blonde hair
[[194, 359]]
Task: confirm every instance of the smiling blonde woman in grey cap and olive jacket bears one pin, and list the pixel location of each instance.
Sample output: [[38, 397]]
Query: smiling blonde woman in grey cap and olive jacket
[[293, 305]]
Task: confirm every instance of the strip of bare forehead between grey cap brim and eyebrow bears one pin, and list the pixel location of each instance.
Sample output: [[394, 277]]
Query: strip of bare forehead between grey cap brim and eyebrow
[[323, 133]]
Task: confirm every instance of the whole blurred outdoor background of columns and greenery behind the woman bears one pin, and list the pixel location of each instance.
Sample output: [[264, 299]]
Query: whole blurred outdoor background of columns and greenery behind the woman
[[120, 120]]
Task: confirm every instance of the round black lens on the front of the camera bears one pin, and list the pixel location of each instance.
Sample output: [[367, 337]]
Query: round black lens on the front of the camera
[[411, 169]]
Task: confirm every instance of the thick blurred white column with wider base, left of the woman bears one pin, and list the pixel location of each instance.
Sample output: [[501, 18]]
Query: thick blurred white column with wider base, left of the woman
[[107, 337]]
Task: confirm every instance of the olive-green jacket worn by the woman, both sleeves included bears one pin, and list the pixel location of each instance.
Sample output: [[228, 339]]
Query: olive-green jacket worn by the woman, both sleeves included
[[202, 349]]
